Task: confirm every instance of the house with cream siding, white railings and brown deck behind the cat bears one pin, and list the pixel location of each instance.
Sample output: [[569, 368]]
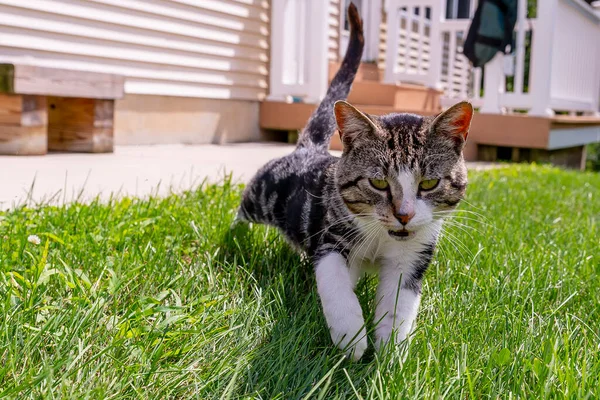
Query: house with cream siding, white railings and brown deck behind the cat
[[217, 71]]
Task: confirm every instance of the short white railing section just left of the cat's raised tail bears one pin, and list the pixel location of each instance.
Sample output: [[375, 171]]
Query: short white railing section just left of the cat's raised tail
[[299, 50]]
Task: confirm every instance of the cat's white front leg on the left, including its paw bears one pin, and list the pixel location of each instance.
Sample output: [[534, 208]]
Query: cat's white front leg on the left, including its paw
[[335, 284]]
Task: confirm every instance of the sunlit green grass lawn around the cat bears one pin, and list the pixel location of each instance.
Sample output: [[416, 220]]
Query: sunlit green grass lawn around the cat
[[156, 299]]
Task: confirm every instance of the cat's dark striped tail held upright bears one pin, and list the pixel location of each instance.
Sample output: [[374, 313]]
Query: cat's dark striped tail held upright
[[321, 125]]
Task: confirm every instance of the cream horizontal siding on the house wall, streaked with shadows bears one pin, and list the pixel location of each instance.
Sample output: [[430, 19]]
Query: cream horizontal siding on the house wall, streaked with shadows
[[208, 49]]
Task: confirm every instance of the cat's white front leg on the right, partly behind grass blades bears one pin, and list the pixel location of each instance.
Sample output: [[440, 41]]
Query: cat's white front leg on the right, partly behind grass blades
[[398, 298]]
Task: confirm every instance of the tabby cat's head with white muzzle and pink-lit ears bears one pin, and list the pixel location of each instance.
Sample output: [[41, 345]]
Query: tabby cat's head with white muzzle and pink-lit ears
[[402, 171]]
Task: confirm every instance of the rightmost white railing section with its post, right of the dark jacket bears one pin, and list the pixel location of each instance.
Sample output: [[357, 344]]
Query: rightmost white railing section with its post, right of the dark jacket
[[564, 67]]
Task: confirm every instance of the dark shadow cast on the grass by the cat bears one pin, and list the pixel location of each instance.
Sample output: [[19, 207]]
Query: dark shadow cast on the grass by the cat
[[297, 352]]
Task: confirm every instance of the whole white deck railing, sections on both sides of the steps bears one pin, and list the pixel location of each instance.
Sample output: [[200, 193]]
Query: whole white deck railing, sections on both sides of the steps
[[555, 65]]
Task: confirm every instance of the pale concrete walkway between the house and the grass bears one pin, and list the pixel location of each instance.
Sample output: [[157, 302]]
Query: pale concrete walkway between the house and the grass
[[130, 170]]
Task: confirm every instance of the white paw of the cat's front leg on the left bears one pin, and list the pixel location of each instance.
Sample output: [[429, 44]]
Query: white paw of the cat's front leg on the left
[[350, 336]]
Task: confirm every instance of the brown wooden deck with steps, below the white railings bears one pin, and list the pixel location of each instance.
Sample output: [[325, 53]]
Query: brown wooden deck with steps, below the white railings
[[517, 137]]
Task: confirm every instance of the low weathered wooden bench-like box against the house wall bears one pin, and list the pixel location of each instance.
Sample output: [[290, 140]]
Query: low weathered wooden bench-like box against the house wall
[[53, 109]]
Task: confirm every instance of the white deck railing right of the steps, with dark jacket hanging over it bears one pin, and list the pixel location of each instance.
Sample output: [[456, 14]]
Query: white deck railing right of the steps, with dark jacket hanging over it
[[564, 67]]
